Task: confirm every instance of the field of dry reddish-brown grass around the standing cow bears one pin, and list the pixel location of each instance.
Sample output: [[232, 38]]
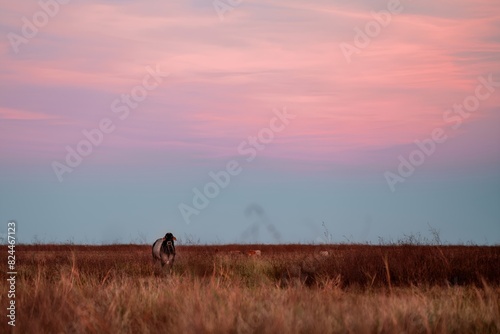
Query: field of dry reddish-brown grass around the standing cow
[[288, 289]]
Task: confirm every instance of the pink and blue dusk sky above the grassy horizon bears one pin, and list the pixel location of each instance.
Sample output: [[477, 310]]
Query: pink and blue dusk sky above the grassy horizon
[[236, 121]]
